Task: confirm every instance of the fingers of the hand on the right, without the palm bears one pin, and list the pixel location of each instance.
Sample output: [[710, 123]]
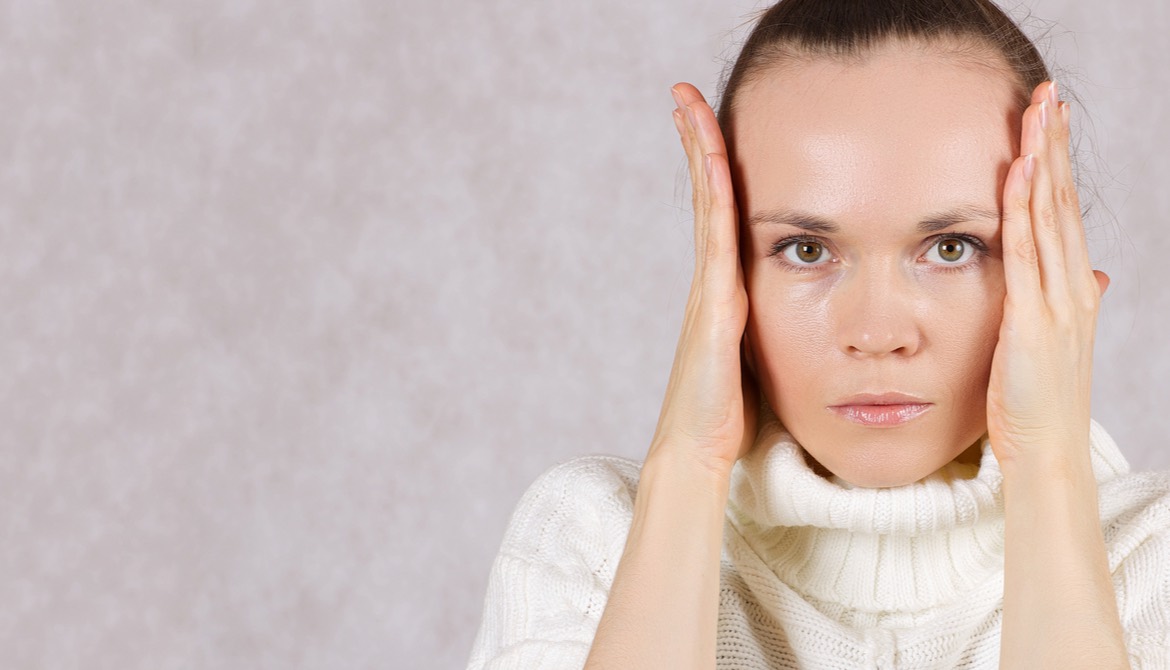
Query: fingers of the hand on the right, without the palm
[[1047, 255]]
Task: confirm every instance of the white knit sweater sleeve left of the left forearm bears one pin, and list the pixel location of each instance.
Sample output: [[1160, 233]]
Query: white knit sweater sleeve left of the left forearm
[[552, 578]]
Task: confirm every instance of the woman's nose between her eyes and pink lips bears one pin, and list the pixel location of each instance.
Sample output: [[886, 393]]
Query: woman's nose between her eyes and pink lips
[[875, 315]]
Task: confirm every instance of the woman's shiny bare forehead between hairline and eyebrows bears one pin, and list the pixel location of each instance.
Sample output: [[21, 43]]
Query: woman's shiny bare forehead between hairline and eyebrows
[[899, 134]]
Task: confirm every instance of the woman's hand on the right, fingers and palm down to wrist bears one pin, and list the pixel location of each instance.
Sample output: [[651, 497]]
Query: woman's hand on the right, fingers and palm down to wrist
[[1038, 395]]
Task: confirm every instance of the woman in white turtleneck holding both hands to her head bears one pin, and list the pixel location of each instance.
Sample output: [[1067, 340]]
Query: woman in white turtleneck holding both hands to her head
[[876, 448]]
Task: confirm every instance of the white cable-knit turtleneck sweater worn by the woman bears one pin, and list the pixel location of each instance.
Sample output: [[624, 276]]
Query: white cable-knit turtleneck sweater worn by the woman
[[817, 574]]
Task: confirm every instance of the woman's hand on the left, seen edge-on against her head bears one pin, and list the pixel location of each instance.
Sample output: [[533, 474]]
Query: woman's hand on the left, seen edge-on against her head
[[712, 402]]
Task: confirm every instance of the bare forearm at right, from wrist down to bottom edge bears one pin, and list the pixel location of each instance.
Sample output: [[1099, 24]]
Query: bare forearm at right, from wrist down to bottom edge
[[1059, 605]]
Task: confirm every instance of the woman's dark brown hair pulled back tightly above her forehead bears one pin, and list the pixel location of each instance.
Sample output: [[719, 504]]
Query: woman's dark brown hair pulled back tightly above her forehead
[[796, 31]]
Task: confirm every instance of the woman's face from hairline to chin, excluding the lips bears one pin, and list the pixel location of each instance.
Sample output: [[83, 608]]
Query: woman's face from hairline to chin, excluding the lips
[[891, 174]]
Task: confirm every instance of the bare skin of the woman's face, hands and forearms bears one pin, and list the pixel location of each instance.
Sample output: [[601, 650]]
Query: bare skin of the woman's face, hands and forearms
[[1037, 315]]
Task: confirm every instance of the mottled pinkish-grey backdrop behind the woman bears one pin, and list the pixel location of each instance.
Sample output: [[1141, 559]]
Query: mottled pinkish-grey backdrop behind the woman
[[298, 299]]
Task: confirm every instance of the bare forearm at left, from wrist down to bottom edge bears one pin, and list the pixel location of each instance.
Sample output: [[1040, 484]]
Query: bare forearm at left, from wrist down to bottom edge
[[664, 603]]
